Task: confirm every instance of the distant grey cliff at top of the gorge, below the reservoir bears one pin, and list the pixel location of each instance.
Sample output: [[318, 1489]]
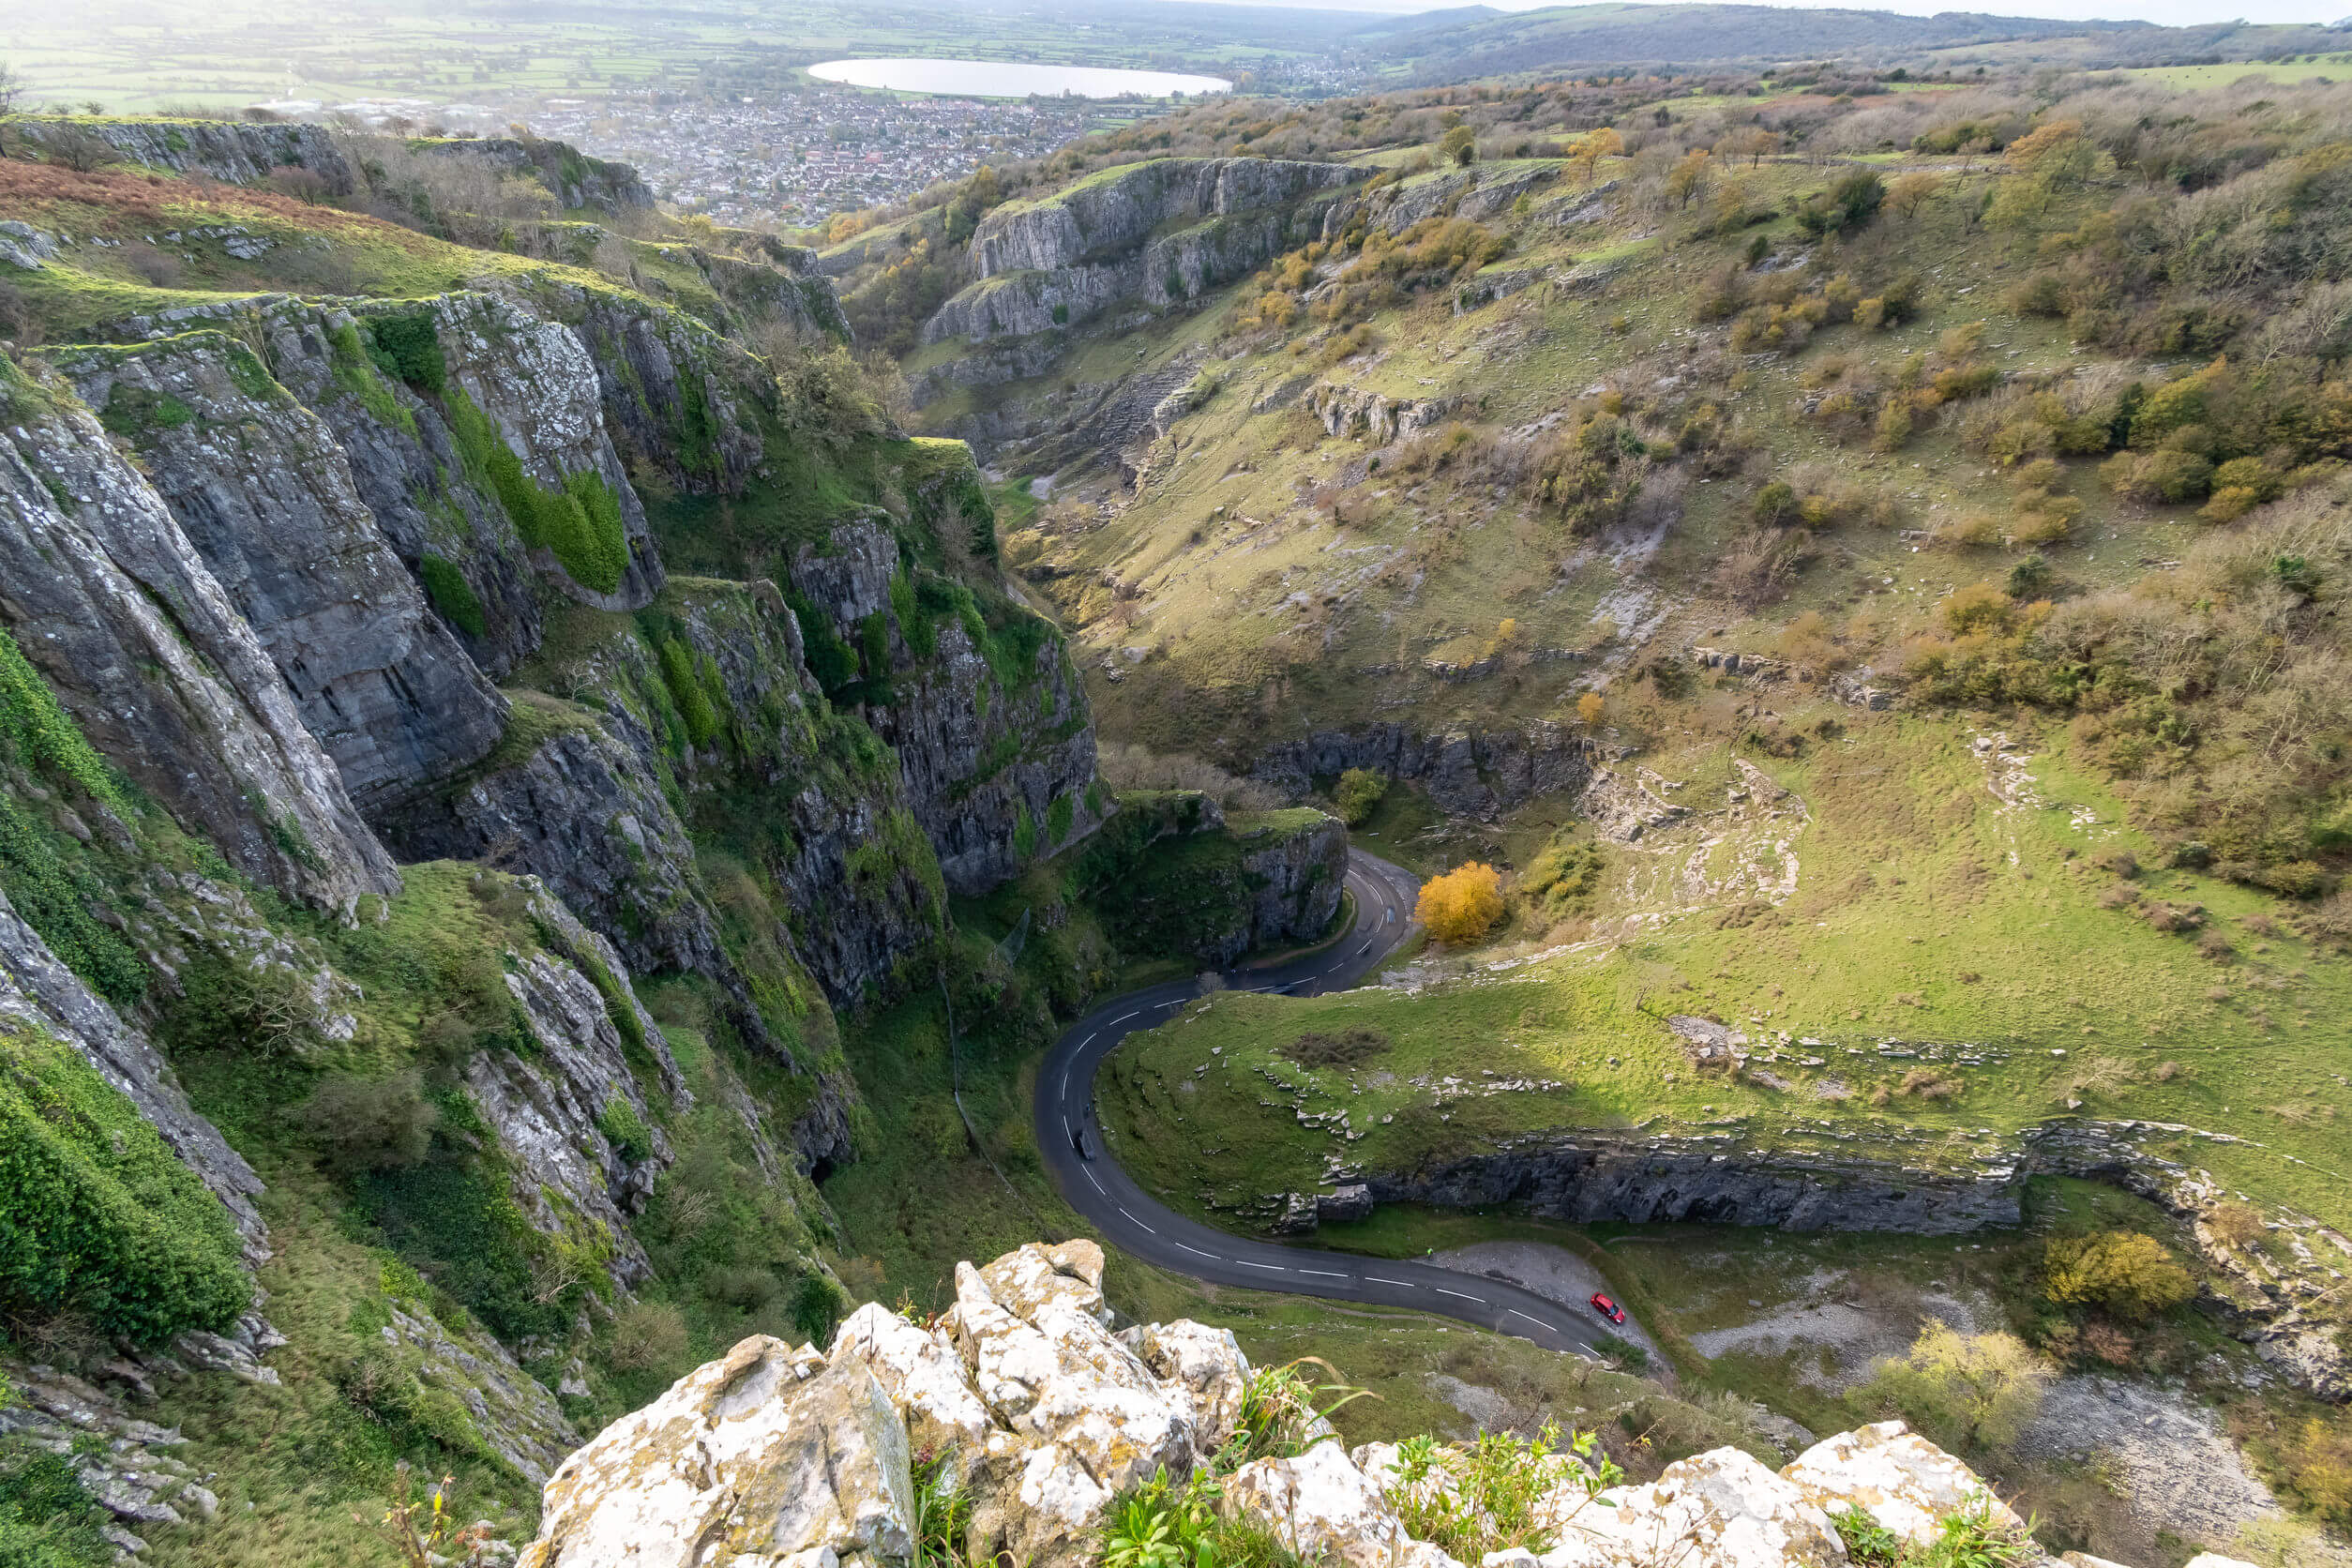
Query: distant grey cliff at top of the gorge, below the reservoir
[[1156, 234]]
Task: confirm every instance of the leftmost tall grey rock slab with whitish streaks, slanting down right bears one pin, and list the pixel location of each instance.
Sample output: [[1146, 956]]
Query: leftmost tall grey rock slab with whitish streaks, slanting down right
[[145, 648]]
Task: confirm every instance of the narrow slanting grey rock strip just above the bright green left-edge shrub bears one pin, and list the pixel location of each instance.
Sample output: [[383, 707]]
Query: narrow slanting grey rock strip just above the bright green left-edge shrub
[[41, 991]]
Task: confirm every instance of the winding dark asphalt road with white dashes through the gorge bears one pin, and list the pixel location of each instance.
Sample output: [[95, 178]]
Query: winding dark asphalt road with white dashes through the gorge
[[1137, 1224]]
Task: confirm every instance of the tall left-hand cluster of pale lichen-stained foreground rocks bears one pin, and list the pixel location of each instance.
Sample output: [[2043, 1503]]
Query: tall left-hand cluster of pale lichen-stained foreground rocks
[[799, 1456]]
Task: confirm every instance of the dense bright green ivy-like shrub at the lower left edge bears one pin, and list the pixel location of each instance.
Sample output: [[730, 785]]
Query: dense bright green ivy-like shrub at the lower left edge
[[102, 1217]]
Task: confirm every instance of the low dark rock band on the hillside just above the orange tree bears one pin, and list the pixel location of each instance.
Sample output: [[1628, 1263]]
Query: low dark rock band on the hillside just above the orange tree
[[1464, 772]]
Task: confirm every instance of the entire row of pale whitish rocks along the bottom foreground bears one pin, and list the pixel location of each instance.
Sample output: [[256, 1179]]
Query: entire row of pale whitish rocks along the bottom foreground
[[1041, 1416]]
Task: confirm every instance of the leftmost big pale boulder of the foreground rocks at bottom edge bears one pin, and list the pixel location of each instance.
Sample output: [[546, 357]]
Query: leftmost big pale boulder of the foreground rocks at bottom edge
[[766, 1456]]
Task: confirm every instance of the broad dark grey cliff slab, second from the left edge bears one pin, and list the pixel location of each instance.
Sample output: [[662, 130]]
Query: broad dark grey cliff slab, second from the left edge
[[267, 497]]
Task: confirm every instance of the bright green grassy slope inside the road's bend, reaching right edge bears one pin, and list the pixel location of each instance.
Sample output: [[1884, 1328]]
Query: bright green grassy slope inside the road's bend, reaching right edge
[[1925, 911]]
